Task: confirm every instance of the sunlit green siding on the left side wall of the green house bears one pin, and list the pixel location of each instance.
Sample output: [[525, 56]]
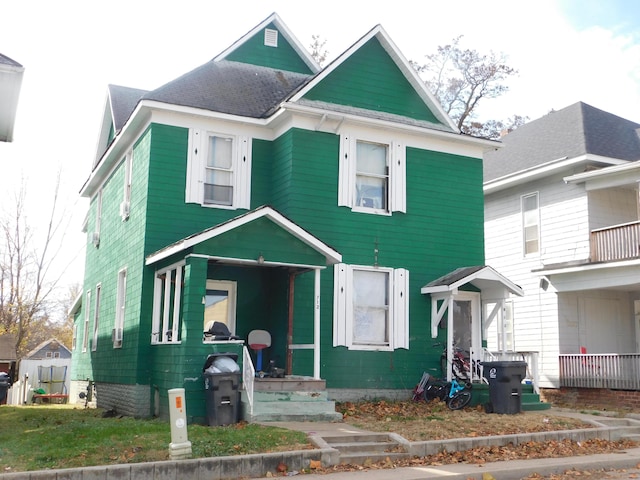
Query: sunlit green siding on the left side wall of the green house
[[121, 246]]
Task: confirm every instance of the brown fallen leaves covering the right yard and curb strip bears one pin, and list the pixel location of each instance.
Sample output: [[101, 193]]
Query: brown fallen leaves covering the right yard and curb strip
[[420, 421]]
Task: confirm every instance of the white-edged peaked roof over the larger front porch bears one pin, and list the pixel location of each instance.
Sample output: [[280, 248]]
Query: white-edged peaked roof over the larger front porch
[[330, 255]]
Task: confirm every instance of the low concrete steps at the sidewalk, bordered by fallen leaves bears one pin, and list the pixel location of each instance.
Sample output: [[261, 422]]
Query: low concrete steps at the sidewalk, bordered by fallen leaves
[[366, 448]]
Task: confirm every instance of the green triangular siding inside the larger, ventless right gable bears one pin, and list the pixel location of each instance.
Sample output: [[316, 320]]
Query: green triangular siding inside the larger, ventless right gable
[[370, 79]]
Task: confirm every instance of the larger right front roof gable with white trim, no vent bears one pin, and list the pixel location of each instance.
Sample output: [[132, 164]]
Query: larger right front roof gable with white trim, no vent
[[374, 78]]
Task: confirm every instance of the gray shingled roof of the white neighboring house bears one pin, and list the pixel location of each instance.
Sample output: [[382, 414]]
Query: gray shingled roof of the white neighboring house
[[573, 131]]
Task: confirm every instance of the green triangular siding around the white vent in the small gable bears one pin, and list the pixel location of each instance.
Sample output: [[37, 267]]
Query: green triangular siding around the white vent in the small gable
[[255, 52]]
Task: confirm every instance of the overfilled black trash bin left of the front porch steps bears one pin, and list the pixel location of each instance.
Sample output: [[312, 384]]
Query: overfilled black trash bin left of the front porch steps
[[221, 384]]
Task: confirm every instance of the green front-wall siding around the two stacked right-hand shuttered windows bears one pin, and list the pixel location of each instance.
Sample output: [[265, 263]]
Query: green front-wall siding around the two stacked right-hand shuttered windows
[[441, 231]]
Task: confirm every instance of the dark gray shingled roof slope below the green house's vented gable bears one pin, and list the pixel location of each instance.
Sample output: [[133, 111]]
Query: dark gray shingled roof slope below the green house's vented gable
[[231, 87]]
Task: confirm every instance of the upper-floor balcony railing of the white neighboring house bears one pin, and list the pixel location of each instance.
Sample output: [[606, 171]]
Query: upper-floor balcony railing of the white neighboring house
[[620, 242]]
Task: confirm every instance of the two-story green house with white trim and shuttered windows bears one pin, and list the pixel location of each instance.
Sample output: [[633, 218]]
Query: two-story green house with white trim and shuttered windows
[[323, 208]]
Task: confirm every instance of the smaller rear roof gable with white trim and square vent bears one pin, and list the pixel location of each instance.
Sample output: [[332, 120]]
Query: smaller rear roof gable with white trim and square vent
[[271, 44]]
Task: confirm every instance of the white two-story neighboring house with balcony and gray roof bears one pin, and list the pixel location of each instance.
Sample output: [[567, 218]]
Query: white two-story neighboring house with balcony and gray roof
[[562, 214]]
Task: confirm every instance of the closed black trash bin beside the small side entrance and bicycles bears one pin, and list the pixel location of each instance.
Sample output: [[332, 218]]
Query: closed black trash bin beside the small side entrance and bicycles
[[505, 386]]
